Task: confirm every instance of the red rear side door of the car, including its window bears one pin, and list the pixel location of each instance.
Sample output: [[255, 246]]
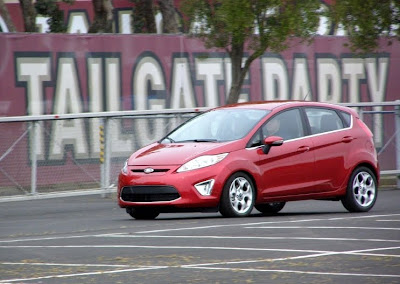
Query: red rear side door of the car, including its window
[[332, 139]]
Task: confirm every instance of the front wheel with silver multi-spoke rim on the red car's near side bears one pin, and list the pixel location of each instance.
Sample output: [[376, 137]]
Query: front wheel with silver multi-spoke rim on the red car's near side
[[238, 196]]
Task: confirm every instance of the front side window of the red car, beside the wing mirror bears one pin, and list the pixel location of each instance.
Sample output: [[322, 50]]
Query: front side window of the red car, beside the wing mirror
[[287, 124]]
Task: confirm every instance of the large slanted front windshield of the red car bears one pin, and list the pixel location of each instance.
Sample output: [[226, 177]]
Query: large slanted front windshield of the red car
[[217, 126]]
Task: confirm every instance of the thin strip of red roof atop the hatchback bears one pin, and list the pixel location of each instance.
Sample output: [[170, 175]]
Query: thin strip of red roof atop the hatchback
[[271, 105]]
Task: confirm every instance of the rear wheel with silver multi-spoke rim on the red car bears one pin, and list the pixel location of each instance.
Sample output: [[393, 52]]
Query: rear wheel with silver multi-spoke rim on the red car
[[361, 191]]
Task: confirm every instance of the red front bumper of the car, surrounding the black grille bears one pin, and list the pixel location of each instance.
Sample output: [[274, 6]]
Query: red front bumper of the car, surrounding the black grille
[[165, 188]]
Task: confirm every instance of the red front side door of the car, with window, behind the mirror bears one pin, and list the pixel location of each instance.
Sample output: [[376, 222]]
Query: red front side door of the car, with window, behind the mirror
[[287, 169]]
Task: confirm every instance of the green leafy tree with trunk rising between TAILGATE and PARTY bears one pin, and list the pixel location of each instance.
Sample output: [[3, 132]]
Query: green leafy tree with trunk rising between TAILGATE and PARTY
[[237, 25]]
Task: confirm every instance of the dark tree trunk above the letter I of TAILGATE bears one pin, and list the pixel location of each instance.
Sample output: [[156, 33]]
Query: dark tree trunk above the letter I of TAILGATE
[[103, 17]]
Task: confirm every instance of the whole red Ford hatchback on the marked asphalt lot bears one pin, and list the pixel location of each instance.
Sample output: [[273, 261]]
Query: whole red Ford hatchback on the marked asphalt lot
[[261, 155]]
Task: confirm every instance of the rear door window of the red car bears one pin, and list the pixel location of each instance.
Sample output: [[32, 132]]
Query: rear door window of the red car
[[323, 120]]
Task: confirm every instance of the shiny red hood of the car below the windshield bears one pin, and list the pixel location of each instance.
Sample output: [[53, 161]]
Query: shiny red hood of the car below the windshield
[[176, 153]]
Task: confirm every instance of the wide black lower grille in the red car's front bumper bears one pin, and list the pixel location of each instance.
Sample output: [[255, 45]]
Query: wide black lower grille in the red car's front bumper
[[149, 193]]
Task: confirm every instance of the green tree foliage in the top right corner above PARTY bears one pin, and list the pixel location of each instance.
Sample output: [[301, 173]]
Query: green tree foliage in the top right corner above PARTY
[[367, 20]]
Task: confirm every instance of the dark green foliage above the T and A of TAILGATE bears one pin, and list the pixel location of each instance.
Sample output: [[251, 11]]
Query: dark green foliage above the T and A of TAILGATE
[[50, 9]]
